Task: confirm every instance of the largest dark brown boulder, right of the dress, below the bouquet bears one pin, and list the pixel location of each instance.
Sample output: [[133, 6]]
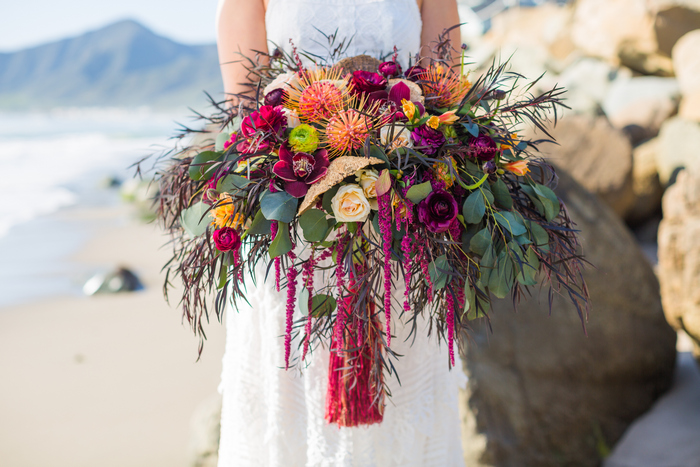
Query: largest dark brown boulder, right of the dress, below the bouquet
[[540, 391]]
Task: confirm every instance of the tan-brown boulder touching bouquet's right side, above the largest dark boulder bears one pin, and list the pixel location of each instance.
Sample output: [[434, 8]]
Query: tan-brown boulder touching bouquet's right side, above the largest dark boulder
[[597, 155]]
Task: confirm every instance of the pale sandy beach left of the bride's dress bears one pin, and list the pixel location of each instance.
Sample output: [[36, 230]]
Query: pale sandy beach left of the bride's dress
[[109, 380]]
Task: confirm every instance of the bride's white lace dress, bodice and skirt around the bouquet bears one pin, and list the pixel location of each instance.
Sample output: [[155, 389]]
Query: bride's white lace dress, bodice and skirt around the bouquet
[[273, 417]]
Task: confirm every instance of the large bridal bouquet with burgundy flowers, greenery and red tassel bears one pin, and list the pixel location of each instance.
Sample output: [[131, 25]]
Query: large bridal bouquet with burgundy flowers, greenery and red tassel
[[381, 178]]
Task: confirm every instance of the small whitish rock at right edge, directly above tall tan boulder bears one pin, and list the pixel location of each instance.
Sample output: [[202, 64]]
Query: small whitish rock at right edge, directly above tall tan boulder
[[679, 140]]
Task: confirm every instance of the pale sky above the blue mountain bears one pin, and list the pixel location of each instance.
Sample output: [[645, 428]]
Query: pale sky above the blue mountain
[[25, 23]]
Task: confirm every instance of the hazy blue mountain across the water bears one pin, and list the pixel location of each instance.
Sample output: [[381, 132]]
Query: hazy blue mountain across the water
[[123, 64]]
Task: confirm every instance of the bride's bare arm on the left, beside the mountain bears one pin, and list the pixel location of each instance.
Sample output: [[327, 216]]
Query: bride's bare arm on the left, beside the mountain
[[240, 28]]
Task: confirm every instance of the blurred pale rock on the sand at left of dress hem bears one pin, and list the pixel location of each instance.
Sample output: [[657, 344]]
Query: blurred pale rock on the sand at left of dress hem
[[205, 432]]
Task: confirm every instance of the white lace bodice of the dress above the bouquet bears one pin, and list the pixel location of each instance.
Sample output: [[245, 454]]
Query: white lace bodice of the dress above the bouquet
[[375, 26]]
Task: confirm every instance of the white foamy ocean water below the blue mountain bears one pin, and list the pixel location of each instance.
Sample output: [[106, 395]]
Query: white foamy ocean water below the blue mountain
[[54, 162]]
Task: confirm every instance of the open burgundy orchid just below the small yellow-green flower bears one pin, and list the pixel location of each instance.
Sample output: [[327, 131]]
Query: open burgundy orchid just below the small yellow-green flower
[[299, 170]]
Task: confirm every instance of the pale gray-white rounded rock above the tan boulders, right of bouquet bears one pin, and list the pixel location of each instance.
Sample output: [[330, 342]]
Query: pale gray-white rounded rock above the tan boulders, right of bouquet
[[640, 105]]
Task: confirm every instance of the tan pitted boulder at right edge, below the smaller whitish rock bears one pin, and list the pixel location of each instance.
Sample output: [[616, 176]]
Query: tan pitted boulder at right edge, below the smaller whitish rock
[[679, 255]]
